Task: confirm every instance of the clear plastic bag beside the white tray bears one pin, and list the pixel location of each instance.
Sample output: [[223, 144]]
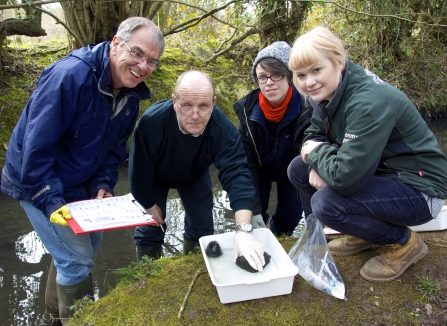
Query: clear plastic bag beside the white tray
[[314, 261]]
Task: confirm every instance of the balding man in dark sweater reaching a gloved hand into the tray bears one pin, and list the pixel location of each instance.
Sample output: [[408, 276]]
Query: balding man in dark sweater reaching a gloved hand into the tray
[[174, 144]]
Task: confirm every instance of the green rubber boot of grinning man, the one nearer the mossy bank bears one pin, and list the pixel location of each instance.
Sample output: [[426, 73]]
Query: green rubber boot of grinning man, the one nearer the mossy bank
[[68, 294]]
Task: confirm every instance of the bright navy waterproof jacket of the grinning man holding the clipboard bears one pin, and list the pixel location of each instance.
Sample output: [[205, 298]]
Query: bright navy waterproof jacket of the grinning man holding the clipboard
[[71, 136]]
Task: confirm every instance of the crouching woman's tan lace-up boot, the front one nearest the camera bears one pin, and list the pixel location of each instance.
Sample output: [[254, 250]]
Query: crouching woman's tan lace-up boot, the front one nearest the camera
[[394, 259]]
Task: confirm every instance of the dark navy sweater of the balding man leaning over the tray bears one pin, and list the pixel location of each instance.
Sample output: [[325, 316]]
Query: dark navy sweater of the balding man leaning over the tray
[[161, 153]]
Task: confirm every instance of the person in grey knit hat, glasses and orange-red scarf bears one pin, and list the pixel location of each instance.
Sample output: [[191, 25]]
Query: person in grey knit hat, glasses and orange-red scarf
[[272, 120]]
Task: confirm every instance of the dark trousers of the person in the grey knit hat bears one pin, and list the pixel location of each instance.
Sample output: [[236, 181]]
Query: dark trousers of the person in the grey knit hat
[[288, 210]]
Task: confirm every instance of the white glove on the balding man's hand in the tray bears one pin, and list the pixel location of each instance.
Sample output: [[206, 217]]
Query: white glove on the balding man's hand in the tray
[[246, 245]]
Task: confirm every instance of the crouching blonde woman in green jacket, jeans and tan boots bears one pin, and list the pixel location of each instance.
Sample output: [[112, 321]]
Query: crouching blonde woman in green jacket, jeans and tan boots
[[369, 165]]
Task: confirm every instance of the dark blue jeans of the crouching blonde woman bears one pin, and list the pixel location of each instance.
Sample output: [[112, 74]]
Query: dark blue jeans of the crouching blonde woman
[[380, 214]]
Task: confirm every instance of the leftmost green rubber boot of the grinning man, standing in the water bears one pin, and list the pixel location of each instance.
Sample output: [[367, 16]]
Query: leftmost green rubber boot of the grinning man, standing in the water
[[51, 314]]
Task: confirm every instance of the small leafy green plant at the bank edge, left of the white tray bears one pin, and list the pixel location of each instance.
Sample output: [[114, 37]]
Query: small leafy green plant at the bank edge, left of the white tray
[[135, 272]]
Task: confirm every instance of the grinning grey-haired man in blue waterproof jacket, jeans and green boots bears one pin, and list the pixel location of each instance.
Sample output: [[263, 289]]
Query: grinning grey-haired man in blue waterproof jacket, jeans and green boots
[[68, 144]]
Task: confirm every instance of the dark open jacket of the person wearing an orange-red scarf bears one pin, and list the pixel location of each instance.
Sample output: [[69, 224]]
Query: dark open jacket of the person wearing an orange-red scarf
[[262, 148]]
